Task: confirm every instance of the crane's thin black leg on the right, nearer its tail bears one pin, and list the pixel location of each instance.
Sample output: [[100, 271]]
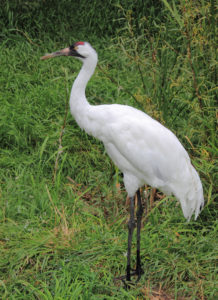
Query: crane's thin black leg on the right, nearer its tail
[[139, 213]]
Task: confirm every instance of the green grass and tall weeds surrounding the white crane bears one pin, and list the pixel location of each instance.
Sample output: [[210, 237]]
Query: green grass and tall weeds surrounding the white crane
[[63, 210]]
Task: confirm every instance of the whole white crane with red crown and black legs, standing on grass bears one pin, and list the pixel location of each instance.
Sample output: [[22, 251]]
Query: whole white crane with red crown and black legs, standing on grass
[[144, 150]]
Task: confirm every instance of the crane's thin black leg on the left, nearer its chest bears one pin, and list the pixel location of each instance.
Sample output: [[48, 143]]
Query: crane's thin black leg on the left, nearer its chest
[[131, 225]]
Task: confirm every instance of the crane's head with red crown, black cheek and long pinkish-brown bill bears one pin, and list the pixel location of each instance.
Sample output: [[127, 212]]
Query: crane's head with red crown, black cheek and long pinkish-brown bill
[[80, 50]]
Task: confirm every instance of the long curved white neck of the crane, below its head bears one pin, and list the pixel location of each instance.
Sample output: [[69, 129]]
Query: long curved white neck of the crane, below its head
[[78, 101]]
